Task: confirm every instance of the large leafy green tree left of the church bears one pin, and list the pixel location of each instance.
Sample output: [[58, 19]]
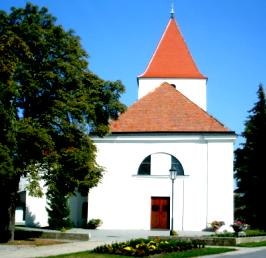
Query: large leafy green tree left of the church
[[50, 104]]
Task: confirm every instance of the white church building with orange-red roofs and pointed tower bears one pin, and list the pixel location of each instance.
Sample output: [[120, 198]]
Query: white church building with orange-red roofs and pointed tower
[[167, 128]]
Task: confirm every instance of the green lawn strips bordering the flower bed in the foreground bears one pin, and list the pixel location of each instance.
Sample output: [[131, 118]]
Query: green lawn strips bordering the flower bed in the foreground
[[190, 253]]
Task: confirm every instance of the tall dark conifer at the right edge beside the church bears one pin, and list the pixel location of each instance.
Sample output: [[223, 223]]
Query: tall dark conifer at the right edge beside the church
[[249, 167]]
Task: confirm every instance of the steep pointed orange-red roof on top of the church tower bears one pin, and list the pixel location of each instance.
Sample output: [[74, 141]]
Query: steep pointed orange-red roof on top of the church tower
[[172, 58]]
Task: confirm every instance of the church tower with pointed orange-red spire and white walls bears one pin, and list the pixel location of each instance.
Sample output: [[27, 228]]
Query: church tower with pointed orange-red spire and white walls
[[172, 62]]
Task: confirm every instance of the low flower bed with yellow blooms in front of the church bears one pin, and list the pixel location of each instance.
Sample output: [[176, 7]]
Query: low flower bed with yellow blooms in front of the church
[[145, 247]]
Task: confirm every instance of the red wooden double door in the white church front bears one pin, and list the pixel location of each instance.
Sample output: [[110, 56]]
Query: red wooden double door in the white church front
[[160, 212]]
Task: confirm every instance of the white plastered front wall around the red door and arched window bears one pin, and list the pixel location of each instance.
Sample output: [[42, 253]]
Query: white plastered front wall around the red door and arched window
[[123, 199]]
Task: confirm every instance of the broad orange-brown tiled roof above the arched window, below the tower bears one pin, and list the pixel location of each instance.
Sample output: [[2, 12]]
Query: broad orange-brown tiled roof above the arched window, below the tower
[[165, 110]]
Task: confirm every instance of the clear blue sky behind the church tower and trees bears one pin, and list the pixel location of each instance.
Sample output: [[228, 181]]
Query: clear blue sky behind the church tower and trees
[[227, 39]]
